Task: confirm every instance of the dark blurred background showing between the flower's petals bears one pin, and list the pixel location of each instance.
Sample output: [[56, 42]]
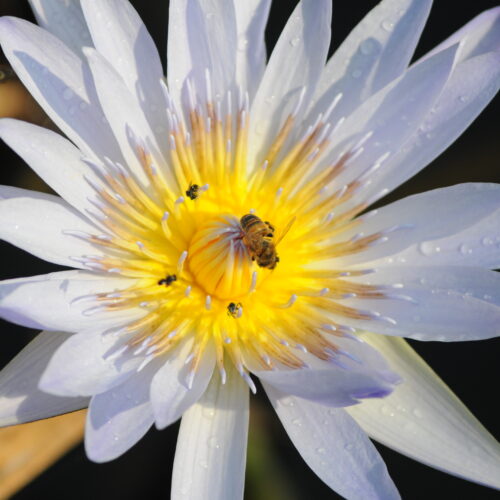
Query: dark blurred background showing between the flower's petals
[[275, 470]]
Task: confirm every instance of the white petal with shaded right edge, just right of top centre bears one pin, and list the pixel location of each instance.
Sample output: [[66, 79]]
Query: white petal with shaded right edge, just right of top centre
[[295, 65]]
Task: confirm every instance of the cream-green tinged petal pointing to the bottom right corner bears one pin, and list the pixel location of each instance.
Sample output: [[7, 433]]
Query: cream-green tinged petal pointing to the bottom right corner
[[426, 421]]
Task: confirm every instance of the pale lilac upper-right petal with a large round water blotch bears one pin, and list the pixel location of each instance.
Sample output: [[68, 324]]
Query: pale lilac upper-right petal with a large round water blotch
[[376, 52]]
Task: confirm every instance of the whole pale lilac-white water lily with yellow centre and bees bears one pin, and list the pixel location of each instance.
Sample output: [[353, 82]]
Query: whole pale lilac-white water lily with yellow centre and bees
[[218, 222]]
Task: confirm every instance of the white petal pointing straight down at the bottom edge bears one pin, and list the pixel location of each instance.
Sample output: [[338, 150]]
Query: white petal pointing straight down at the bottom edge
[[211, 447]]
